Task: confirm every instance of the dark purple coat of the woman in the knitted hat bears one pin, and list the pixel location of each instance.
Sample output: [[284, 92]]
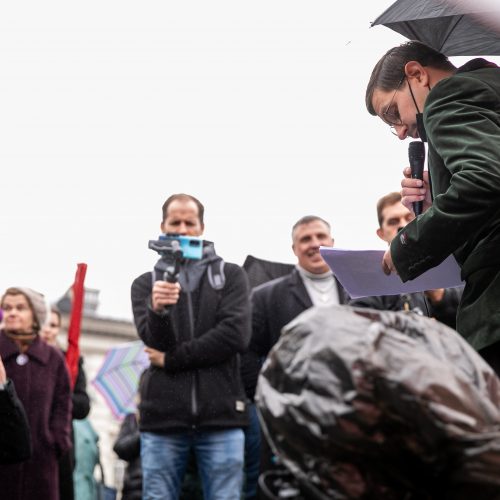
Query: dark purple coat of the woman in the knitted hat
[[43, 387]]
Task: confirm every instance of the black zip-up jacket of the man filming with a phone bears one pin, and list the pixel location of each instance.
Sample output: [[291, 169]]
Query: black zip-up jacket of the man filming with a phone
[[202, 336]]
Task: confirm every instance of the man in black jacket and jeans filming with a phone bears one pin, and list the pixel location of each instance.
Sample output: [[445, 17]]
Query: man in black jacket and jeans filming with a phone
[[191, 396]]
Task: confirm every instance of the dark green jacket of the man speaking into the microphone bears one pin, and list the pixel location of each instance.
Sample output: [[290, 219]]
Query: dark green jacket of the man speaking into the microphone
[[462, 120]]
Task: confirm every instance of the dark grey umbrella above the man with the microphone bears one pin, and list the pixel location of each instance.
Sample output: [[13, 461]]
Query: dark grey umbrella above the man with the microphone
[[453, 27]]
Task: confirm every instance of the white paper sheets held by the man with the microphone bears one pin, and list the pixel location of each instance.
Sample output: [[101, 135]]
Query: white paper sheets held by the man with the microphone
[[360, 273]]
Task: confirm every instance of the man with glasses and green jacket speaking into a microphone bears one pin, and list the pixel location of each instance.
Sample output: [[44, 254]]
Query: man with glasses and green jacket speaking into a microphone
[[420, 94]]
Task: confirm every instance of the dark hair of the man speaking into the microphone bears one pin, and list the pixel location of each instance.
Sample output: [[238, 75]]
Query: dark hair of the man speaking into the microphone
[[389, 72]]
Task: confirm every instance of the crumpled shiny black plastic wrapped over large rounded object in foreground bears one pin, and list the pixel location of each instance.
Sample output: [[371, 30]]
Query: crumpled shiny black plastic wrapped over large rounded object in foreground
[[385, 405]]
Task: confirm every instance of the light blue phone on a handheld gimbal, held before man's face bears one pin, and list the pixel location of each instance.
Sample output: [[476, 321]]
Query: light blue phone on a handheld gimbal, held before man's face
[[173, 248]]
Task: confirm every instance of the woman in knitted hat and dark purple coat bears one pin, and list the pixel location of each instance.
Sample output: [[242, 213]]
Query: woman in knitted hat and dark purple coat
[[42, 383]]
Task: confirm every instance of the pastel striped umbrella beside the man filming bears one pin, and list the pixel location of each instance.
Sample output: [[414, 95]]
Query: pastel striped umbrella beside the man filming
[[118, 377]]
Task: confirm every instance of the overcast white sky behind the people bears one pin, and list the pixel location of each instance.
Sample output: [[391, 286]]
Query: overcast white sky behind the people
[[257, 108]]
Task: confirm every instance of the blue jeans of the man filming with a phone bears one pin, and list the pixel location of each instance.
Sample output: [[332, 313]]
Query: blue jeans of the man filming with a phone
[[219, 457]]
